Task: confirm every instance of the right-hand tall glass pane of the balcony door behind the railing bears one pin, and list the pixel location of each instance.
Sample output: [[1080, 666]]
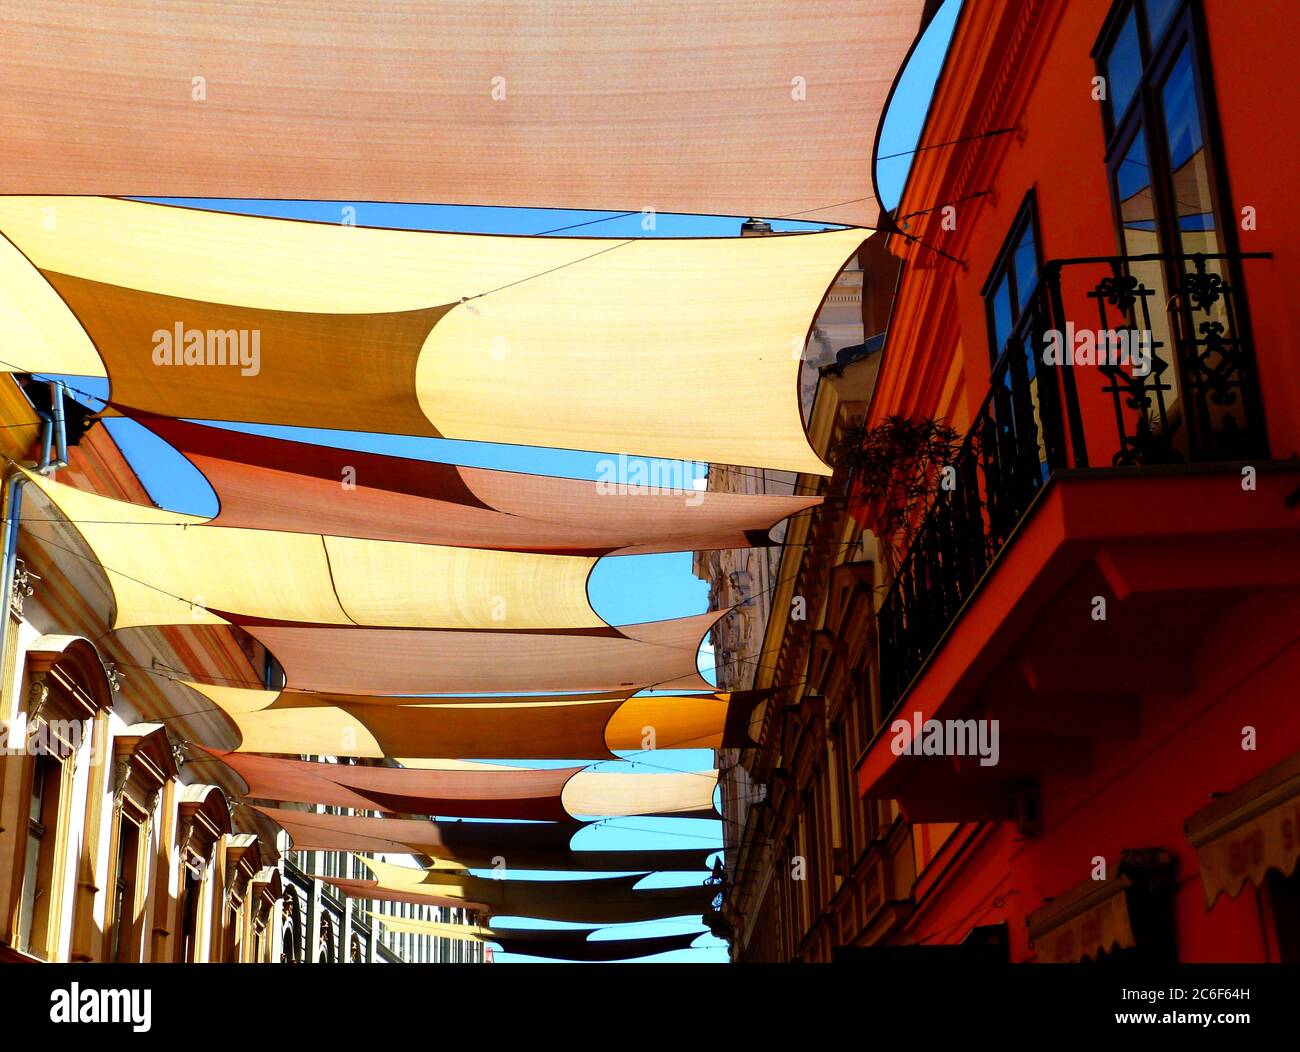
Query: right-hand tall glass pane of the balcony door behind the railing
[[1188, 161]]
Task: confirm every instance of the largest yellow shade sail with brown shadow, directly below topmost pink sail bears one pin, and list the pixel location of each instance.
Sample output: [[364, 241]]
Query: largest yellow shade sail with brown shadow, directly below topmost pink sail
[[573, 344]]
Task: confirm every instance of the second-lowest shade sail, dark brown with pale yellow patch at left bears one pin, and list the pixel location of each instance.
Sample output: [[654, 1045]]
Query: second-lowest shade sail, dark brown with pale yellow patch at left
[[608, 901]]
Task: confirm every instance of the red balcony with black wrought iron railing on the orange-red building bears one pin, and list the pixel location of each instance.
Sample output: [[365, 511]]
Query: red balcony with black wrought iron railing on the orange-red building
[[1106, 471]]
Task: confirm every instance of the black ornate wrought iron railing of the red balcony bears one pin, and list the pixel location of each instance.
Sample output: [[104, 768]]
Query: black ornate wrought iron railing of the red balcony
[[1197, 400]]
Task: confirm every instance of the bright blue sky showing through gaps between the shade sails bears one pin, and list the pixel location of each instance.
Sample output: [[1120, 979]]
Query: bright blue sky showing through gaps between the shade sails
[[622, 590]]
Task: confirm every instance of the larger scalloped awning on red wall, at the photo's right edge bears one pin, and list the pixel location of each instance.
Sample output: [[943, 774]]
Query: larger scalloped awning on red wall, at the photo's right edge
[[1249, 833]]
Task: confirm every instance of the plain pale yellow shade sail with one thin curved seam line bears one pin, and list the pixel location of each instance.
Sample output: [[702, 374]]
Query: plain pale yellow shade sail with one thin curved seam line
[[171, 569]]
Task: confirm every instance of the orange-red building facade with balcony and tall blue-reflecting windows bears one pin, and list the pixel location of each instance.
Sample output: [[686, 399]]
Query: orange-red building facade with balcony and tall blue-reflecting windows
[[1097, 284]]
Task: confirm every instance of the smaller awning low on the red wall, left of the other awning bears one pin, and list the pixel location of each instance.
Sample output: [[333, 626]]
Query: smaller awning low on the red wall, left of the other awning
[[1085, 923]]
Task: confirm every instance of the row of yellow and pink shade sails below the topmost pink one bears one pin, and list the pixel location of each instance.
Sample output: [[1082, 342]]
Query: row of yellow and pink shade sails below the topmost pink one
[[422, 612]]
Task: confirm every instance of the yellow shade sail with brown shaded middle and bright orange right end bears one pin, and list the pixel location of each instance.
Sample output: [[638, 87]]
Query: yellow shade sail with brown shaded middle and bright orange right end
[[522, 728]]
